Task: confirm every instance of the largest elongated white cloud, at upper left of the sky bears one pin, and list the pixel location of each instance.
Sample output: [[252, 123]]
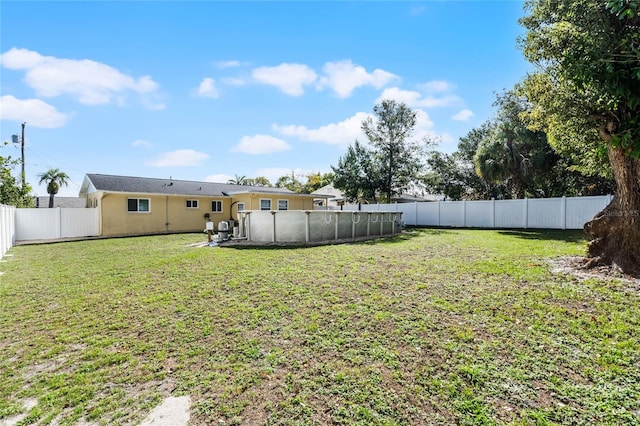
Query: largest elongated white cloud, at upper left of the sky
[[90, 82]]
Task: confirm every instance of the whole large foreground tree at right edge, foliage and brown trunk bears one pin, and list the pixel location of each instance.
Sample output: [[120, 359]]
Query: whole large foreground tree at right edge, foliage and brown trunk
[[586, 97]]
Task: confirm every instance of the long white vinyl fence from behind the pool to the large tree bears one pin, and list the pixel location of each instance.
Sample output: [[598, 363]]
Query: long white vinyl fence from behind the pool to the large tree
[[543, 213]]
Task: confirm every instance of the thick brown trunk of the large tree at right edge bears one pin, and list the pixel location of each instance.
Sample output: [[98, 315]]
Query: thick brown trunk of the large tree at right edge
[[615, 231]]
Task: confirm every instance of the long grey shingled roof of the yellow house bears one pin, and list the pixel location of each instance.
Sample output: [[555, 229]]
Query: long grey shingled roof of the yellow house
[[136, 185]]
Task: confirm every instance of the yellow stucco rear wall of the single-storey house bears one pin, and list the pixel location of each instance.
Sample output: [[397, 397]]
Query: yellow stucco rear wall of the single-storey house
[[170, 214]]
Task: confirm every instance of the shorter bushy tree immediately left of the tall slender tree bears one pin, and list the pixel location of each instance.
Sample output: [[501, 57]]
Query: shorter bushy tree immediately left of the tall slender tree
[[358, 174]]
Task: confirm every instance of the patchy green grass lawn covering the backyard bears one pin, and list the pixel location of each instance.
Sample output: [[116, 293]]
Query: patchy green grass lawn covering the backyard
[[431, 327]]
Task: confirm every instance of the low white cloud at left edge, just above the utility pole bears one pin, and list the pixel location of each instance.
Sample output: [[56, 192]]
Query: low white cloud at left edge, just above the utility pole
[[35, 112]]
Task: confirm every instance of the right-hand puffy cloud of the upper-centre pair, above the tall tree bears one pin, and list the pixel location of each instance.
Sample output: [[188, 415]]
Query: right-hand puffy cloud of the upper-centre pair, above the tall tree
[[343, 77]]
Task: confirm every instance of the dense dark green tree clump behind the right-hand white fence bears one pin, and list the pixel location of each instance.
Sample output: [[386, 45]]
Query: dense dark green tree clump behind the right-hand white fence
[[548, 174]]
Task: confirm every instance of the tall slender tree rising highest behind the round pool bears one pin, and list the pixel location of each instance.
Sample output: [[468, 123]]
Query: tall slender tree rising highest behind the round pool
[[390, 135]]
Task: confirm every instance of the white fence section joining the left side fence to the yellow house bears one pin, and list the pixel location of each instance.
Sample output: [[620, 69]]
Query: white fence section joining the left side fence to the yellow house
[[52, 224]]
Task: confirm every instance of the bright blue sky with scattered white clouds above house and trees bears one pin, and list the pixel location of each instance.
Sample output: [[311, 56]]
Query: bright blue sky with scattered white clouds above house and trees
[[208, 90]]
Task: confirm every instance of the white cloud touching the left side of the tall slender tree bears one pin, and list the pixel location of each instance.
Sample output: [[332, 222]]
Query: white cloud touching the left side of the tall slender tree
[[342, 133]]
